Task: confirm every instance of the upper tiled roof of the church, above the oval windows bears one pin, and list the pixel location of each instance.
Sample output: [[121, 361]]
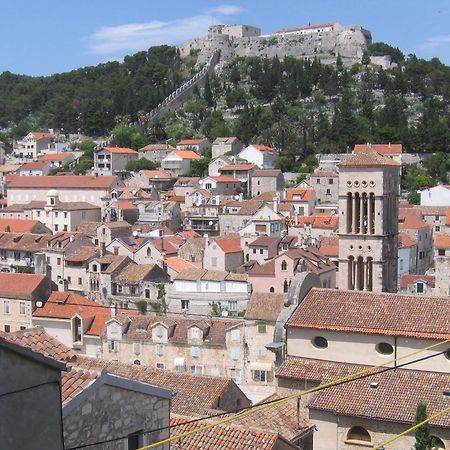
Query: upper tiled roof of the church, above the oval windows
[[374, 313]]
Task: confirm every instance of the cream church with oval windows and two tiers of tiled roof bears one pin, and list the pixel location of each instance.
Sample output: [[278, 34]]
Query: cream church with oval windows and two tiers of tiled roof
[[336, 333]]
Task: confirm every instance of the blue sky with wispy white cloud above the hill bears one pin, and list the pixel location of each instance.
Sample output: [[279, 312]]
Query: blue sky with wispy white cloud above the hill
[[40, 37]]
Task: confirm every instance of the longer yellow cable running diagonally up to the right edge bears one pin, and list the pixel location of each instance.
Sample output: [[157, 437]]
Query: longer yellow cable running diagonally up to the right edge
[[291, 397]]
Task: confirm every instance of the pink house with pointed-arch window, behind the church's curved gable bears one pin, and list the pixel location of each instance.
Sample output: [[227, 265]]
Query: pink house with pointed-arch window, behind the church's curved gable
[[275, 276]]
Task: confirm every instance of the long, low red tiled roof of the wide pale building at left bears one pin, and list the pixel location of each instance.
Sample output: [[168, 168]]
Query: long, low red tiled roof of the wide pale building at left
[[68, 181]]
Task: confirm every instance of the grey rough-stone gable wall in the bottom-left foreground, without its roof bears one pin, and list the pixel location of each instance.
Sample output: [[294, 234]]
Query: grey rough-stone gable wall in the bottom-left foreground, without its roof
[[111, 412]]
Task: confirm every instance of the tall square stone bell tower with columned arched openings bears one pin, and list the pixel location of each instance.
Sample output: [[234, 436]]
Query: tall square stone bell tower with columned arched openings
[[369, 186]]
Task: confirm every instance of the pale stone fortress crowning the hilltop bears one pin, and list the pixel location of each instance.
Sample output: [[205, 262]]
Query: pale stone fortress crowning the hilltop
[[324, 41]]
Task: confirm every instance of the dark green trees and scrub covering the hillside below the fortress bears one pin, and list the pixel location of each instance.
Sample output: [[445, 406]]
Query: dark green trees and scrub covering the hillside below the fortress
[[300, 106]]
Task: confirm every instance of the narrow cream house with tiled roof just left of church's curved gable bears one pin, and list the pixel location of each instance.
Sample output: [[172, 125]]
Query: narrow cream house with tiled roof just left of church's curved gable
[[260, 317]]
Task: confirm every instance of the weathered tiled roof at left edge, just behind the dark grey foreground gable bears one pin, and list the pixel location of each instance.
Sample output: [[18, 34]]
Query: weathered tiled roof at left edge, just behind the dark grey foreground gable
[[39, 341]]
